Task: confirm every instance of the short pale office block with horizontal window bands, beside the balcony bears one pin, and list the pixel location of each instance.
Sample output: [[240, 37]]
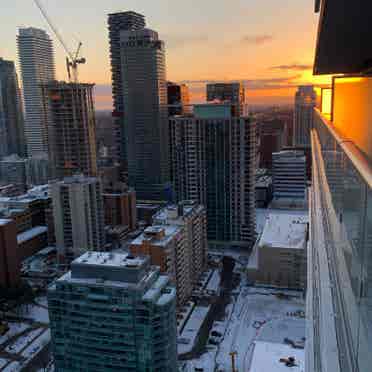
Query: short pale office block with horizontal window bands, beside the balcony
[[289, 175]]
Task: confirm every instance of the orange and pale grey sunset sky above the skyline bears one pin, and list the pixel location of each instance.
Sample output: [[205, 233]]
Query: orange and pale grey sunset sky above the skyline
[[268, 44]]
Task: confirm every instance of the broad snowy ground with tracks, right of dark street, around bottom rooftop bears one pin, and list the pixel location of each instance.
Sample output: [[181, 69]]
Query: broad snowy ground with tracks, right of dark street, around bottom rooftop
[[258, 314]]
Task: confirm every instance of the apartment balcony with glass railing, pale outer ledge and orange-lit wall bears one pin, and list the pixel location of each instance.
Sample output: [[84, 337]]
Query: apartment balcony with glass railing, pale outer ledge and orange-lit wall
[[339, 296]]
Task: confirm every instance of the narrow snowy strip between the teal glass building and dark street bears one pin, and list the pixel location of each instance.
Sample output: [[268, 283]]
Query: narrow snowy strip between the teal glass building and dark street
[[188, 336]]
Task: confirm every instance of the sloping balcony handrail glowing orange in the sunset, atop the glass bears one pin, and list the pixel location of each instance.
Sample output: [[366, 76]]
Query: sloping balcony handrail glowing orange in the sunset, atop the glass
[[359, 160]]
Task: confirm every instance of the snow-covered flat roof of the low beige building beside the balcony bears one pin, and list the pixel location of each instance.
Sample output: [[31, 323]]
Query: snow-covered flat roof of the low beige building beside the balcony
[[284, 230]]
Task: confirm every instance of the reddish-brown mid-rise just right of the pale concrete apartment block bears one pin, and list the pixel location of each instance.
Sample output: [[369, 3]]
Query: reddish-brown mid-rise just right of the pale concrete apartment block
[[120, 206]]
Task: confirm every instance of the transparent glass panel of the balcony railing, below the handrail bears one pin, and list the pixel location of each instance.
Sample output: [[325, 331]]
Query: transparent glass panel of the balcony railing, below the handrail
[[347, 200]]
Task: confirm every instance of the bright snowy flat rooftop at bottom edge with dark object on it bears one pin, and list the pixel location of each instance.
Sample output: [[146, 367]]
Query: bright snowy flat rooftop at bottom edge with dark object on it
[[267, 355]]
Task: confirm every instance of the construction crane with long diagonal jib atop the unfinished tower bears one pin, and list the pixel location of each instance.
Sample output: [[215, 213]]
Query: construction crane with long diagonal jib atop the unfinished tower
[[72, 60]]
